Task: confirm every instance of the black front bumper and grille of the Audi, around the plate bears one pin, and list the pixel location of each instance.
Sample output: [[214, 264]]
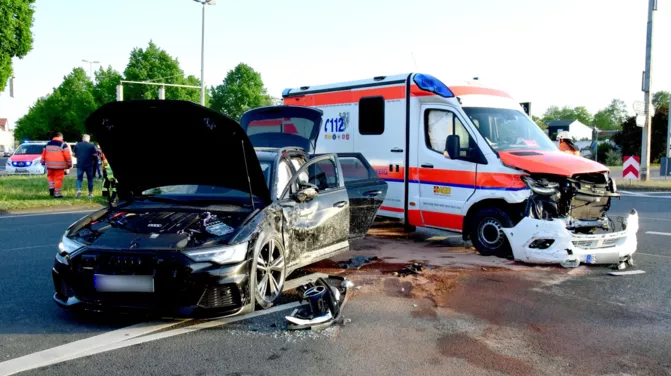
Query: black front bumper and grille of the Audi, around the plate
[[181, 287]]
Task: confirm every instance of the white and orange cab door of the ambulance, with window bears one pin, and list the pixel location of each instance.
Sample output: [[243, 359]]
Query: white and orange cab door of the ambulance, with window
[[445, 183]]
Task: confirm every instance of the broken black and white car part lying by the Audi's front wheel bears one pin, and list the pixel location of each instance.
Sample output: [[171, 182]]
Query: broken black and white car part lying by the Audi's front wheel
[[324, 306]]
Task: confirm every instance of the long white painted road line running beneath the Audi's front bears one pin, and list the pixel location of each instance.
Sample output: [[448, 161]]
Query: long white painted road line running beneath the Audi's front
[[91, 346]]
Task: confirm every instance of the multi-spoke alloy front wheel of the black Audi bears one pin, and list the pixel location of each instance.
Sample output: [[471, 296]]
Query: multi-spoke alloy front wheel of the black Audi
[[263, 265]]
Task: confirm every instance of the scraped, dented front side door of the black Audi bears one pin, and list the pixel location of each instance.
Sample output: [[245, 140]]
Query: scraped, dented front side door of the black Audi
[[322, 222]]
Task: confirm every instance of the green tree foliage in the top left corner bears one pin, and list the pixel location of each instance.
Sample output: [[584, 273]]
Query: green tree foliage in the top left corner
[[16, 39]]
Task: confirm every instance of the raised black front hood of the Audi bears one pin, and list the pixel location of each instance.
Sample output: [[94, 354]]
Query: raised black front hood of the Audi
[[157, 143]]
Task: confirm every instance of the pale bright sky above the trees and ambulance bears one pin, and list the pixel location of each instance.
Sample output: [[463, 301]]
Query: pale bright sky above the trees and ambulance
[[548, 52]]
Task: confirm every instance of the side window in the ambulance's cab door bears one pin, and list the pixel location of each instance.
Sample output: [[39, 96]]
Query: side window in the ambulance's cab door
[[442, 123]]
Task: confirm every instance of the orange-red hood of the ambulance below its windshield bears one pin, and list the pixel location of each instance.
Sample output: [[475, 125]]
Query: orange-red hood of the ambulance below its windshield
[[550, 162]]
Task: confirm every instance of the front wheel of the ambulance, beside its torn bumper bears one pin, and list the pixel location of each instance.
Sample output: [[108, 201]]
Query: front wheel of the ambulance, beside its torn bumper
[[487, 232]]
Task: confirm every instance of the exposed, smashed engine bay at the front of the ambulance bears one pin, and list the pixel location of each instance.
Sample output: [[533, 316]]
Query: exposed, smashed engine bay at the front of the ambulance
[[582, 201]]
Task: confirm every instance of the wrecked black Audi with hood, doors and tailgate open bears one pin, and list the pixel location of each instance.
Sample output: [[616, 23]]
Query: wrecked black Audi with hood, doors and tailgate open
[[217, 231]]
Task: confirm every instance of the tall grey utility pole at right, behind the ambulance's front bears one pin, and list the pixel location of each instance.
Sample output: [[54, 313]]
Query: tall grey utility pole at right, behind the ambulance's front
[[647, 129]]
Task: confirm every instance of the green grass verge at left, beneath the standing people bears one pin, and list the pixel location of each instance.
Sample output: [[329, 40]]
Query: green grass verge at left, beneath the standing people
[[31, 192]]
